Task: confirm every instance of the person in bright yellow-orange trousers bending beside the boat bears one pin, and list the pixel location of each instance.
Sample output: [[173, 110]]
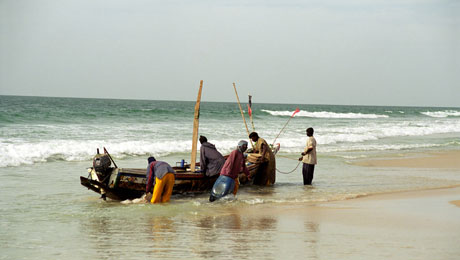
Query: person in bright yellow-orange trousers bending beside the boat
[[160, 175]]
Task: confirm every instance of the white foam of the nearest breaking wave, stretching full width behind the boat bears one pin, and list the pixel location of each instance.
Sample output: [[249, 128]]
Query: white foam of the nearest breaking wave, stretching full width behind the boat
[[16, 152]]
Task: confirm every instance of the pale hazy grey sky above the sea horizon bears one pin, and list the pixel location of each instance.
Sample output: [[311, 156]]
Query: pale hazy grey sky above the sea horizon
[[380, 52]]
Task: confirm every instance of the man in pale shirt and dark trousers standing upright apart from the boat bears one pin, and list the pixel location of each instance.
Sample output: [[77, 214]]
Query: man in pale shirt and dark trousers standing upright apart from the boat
[[309, 158]]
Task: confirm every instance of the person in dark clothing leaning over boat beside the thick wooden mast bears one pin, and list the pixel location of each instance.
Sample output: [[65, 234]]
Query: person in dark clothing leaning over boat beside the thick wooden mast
[[211, 161]]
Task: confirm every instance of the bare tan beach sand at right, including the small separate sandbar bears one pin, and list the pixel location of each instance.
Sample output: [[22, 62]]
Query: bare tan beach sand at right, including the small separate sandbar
[[422, 224]]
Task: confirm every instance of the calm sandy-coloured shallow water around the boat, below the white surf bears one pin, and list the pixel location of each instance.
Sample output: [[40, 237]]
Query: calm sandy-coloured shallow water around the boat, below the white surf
[[47, 214]]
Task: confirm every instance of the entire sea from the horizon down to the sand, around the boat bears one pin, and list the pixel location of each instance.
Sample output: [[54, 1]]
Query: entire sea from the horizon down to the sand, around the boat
[[46, 144]]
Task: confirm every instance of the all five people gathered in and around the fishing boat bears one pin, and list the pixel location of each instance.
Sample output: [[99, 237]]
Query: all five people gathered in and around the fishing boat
[[160, 175]]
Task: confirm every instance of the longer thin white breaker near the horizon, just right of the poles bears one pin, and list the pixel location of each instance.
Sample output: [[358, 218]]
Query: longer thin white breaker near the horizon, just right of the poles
[[325, 114]]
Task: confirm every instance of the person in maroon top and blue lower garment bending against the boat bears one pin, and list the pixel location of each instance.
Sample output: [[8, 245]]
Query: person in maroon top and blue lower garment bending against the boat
[[228, 179]]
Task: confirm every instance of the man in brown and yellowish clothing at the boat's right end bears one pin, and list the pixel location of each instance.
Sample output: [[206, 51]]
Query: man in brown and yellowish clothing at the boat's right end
[[266, 174]]
